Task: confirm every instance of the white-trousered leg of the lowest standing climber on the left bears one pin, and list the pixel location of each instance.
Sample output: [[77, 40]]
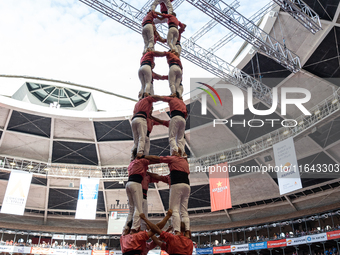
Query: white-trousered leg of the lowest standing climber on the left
[[137, 197]]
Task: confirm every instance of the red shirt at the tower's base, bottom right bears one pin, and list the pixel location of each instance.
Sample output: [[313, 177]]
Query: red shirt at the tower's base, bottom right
[[177, 244]]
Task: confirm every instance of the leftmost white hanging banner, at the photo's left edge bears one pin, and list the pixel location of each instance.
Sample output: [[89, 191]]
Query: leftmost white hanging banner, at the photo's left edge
[[16, 193]]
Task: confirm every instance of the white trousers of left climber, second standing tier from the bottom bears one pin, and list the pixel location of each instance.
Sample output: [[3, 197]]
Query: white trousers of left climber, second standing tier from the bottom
[[139, 129]]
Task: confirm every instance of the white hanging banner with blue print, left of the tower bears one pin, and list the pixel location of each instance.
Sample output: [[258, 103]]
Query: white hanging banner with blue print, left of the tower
[[87, 199]]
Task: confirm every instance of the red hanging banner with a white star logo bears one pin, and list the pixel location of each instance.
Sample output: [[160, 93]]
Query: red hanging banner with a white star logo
[[219, 187]]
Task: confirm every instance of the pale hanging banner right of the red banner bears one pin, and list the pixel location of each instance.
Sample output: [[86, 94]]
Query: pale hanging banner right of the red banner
[[288, 170]]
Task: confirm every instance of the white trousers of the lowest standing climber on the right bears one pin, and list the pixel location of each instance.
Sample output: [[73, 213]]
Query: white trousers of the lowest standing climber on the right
[[179, 198]]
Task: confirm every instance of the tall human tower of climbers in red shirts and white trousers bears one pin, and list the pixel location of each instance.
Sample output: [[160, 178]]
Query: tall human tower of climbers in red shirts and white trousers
[[177, 239]]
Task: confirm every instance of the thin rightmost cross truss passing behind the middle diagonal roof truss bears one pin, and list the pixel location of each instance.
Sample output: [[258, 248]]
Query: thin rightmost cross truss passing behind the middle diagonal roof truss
[[255, 18]]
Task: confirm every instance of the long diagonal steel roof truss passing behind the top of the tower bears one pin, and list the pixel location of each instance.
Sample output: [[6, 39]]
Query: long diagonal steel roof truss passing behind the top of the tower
[[126, 14]]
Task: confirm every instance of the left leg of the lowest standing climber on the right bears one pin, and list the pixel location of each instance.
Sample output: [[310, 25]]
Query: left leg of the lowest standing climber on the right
[[174, 205]]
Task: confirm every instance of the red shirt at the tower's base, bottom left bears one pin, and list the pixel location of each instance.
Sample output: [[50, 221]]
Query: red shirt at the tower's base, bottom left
[[134, 242]]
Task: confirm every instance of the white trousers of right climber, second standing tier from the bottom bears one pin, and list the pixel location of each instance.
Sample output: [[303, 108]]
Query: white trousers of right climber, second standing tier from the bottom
[[176, 133]]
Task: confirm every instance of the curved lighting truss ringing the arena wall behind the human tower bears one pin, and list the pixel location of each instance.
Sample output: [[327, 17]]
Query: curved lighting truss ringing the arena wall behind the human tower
[[322, 111]]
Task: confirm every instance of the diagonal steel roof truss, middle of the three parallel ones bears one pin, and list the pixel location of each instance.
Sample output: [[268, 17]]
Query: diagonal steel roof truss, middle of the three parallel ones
[[251, 33]]
